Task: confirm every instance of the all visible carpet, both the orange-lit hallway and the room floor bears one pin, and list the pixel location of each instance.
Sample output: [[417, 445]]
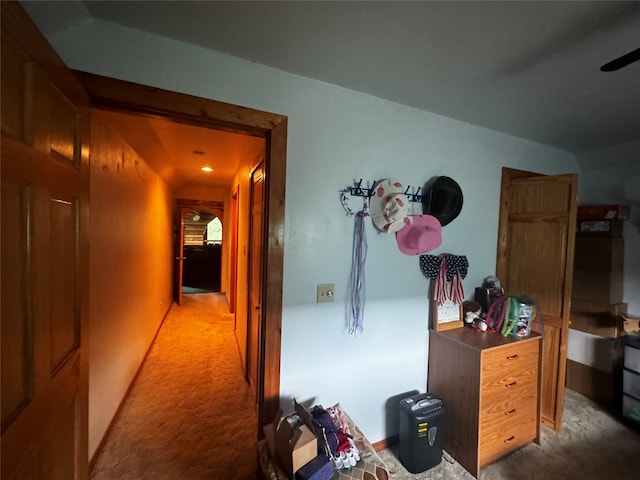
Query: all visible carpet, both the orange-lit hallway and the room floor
[[189, 417]]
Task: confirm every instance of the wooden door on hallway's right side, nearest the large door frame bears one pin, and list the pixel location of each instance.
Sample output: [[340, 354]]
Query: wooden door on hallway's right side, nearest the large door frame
[[254, 329]]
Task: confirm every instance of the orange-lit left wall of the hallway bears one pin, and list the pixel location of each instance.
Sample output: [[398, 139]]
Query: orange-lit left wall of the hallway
[[130, 270]]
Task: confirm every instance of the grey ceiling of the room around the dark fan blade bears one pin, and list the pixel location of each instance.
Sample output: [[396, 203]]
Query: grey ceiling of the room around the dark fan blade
[[528, 69]]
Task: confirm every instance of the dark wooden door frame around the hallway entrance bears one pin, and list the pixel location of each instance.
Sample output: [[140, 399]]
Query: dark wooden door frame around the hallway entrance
[[121, 96]]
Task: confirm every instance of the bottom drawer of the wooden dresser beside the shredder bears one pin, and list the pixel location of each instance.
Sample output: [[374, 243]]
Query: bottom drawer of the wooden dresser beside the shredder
[[505, 437]]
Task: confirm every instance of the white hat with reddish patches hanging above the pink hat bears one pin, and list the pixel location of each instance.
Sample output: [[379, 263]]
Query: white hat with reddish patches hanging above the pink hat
[[388, 206]]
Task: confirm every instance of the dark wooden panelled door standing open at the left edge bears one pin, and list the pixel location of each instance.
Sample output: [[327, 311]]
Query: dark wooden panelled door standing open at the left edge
[[45, 180]]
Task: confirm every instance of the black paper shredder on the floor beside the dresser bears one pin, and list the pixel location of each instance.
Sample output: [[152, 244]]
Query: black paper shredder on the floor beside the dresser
[[422, 425]]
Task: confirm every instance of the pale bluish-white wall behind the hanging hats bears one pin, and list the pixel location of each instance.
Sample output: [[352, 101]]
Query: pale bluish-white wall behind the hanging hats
[[335, 136]]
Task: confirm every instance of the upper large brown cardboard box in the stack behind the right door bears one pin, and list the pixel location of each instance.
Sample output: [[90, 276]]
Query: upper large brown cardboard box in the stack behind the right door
[[599, 254]]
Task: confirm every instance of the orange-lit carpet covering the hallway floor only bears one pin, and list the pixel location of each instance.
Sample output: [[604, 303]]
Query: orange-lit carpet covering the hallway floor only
[[190, 415]]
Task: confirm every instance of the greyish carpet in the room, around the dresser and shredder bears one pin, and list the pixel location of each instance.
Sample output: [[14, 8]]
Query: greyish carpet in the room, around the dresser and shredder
[[592, 445]]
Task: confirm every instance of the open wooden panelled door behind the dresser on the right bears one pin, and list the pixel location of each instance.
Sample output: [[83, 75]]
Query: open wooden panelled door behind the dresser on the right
[[535, 257]]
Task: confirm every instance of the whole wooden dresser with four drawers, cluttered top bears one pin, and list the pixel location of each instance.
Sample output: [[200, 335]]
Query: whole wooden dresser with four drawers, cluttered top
[[491, 388]]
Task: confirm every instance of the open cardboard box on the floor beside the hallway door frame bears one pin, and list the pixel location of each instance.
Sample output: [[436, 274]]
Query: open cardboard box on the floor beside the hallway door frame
[[291, 440]]
